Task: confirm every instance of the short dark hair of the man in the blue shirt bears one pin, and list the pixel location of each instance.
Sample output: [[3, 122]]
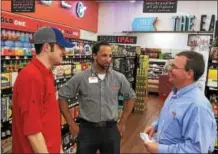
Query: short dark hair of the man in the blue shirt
[[195, 62]]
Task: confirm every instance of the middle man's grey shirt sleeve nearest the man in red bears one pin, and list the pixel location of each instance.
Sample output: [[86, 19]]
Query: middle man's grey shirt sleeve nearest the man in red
[[70, 88]]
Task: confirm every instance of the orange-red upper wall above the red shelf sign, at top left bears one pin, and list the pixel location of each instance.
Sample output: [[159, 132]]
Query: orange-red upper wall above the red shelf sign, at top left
[[57, 14]]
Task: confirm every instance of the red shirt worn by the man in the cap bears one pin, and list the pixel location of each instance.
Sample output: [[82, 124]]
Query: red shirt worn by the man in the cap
[[35, 108]]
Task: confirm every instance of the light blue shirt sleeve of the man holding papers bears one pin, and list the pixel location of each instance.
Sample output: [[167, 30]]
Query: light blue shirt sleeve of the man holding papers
[[199, 131]]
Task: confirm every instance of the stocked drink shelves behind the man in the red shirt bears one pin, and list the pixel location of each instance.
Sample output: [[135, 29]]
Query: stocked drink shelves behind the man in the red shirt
[[17, 50]]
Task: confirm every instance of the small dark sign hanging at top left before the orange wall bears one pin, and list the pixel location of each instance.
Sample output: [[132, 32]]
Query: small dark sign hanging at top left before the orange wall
[[23, 6]]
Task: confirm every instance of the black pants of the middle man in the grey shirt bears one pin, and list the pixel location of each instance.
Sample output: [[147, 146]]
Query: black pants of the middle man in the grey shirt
[[91, 138]]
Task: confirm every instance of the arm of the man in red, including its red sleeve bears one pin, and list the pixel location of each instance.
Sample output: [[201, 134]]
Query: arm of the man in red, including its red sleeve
[[30, 107]]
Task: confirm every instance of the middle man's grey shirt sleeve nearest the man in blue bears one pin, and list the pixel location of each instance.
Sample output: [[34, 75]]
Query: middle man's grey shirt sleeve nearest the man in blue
[[126, 90]]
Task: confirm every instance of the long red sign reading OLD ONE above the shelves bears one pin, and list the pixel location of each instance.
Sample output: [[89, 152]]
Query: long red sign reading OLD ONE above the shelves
[[21, 23]]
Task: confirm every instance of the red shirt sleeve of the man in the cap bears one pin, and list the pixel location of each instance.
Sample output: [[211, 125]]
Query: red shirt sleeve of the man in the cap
[[30, 98]]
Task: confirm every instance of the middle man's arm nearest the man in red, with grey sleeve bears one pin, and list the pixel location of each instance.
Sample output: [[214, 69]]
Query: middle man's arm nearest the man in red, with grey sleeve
[[69, 91]]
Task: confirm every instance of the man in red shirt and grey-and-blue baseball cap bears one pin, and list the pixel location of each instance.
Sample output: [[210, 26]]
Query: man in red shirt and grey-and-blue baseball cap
[[36, 116]]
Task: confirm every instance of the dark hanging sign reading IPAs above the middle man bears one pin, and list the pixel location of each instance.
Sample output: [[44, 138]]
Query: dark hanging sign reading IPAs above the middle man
[[118, 39]]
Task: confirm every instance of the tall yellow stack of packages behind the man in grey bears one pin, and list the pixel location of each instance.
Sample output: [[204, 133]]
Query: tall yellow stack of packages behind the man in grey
[[141, 83]]
